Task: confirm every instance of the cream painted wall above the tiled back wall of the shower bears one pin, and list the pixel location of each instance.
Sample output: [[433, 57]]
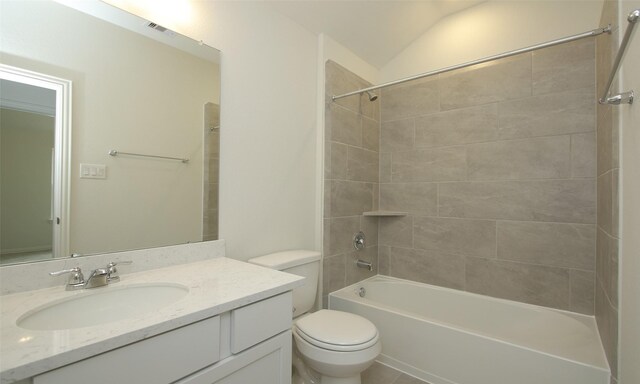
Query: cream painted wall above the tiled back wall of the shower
[[491, 28]]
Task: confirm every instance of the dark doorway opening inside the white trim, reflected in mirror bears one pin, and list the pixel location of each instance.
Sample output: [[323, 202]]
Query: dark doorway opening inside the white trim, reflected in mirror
[[27, 139]]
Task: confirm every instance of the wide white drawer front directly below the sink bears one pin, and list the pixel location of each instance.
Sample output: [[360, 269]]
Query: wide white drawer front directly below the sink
[[160, 359]]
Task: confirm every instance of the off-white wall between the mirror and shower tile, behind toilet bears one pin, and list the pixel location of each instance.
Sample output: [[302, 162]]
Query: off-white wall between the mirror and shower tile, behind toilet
[[268, 123]]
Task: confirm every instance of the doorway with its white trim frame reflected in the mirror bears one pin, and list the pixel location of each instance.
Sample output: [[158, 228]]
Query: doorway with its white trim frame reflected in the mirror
[[33, 139]]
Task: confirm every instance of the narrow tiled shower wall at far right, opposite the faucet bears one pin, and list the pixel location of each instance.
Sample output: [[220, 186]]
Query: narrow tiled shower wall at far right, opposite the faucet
[[608, 170]]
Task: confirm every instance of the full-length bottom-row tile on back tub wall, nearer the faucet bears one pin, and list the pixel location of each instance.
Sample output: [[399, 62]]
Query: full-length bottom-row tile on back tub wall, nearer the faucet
[[445, 270]]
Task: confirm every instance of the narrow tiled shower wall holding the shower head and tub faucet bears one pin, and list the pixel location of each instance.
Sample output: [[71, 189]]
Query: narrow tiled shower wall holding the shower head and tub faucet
[[352, 131]]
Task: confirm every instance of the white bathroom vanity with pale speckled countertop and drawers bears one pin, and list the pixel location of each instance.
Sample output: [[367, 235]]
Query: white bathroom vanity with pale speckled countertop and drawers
[[232, 326]]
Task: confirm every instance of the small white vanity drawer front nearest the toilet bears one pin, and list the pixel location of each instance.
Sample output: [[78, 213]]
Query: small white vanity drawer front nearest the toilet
[[259, 321]]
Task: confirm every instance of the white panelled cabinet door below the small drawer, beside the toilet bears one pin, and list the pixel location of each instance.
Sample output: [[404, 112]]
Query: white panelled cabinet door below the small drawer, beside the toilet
[[266, 363]]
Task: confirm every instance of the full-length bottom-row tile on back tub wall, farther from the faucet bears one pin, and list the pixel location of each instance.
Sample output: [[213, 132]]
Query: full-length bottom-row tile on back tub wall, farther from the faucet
[[534, 284]]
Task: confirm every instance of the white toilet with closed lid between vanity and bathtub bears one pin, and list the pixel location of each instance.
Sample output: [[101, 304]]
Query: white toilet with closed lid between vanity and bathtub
[[336, 346]]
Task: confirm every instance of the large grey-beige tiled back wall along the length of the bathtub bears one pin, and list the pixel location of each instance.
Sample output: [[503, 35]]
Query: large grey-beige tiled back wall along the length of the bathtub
[[496, 166]]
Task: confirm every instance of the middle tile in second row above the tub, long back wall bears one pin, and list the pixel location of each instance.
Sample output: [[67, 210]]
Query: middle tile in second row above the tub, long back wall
[[455, 236]]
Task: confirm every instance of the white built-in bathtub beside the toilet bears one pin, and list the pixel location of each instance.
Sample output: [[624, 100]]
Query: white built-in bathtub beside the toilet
[[445, 336]]
